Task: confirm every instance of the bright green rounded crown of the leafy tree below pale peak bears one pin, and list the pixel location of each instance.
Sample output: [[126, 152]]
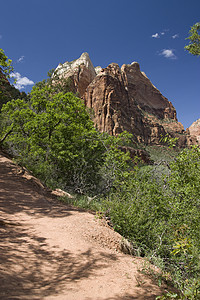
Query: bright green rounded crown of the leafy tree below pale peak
[[49, 132]]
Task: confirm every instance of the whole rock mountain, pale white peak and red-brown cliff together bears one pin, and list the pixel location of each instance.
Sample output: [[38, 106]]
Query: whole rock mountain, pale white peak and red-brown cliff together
[[124, 99]]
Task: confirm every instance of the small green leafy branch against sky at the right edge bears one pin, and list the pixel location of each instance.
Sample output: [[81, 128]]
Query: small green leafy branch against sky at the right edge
[[194, 44]]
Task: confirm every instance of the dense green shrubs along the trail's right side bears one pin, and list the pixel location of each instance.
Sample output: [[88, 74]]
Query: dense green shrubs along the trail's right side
[[160, 214]]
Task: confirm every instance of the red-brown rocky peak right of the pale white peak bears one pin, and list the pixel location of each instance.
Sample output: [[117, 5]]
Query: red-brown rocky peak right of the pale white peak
[[125, 99]]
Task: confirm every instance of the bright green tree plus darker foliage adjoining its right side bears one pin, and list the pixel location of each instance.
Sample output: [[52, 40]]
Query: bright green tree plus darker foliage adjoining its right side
[[53, 135]]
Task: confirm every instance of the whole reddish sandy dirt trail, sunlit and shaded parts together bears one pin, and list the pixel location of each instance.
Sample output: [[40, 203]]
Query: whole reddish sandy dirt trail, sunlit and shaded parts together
[[51, 251]]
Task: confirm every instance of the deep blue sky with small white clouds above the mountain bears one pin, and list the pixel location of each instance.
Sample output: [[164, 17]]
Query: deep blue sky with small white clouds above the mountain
[[39, 34]]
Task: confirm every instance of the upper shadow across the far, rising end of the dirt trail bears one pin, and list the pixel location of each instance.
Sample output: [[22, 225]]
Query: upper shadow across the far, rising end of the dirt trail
[[18, 193]]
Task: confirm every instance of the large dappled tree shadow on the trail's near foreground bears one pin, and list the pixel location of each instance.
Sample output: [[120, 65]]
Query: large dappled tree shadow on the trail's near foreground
[[29, 268]]
